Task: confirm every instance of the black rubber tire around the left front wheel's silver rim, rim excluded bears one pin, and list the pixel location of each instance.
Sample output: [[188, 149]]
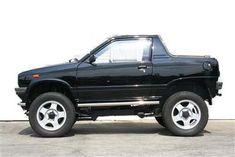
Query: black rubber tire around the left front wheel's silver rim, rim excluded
[[69, 109]]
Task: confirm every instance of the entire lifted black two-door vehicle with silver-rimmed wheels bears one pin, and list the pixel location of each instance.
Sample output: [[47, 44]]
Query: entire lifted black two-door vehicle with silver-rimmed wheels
[[125, 75]]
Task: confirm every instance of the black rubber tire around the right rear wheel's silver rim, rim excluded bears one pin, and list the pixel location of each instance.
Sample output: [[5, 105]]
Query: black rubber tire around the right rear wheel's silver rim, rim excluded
[[168, 119]]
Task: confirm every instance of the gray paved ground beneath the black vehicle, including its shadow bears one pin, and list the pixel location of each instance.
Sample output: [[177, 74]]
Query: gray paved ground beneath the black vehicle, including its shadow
[[118, 138]]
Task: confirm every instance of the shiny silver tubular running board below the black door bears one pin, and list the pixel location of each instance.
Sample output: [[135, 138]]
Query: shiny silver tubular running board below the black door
[[129, 103]]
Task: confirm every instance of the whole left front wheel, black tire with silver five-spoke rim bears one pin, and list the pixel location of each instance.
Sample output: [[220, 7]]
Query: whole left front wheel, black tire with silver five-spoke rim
[[52, 115]]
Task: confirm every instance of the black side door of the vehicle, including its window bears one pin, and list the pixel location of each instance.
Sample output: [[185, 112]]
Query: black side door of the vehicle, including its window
[[121, 72]]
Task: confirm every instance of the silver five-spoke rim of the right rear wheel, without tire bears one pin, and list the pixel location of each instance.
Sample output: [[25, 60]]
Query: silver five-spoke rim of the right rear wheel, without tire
[[186, 114]]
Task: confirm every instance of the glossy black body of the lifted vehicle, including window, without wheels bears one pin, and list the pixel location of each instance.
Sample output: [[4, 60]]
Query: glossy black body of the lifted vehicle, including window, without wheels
[[125, 75]]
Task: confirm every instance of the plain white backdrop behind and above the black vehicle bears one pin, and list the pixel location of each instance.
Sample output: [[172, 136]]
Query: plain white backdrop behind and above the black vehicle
[[39, 33]]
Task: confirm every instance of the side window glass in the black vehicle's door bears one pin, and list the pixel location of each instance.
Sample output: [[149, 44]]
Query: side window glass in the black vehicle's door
[[125, 51]]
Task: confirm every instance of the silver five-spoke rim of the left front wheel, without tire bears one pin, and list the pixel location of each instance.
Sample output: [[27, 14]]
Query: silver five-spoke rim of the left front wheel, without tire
[[51, 115]]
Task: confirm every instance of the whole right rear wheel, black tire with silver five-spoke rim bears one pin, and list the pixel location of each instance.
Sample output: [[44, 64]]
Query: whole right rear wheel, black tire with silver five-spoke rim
[[185, 114]]
